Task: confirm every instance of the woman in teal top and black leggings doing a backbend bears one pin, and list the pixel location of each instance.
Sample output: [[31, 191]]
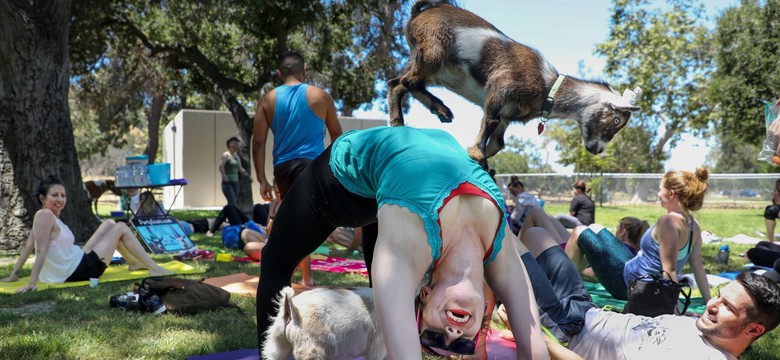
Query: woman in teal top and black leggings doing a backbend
[[426, 209]]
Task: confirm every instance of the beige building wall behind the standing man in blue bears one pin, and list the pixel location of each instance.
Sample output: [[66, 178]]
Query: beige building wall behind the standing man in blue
[[193, 143]]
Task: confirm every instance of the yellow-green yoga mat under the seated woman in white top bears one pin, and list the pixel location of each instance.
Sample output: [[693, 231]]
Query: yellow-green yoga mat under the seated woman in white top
[[112, 273]]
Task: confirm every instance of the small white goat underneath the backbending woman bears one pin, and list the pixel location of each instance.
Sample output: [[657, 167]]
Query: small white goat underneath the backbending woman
[[325, 323]]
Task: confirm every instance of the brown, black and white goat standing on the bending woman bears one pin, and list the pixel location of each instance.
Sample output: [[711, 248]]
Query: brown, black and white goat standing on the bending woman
[[462, 52]]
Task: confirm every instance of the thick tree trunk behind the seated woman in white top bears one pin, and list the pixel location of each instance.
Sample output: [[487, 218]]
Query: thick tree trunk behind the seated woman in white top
[[36, 135]]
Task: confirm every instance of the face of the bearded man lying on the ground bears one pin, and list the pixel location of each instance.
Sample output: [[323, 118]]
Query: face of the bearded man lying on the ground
[[725, 316]]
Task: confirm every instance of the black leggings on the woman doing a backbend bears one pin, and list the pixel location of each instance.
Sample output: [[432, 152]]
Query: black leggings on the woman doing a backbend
[[315, 206]]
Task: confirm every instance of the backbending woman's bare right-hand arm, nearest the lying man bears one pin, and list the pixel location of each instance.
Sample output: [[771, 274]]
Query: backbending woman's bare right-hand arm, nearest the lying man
[[508, 278]]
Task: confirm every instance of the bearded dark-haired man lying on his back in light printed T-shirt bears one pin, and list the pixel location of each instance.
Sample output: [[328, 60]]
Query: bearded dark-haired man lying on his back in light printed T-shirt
[[742, 312]]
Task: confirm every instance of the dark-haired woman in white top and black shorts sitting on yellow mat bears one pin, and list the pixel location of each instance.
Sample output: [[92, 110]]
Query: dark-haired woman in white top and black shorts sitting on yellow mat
[[59, 260]]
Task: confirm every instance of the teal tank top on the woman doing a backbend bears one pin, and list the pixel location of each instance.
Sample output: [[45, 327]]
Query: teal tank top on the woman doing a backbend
[[413, 168]]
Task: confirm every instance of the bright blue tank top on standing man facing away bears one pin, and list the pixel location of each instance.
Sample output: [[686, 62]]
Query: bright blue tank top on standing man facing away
[[298, 132]]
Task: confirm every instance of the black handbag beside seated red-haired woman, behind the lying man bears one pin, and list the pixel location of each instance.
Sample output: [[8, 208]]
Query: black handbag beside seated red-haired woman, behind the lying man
[[653, 295]]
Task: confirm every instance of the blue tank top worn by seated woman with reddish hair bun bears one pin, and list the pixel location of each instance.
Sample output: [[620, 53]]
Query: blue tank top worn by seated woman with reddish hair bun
[[648, 259]]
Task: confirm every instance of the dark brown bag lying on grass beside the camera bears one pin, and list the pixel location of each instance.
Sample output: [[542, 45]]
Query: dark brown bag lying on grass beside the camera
[[186, 296]]
